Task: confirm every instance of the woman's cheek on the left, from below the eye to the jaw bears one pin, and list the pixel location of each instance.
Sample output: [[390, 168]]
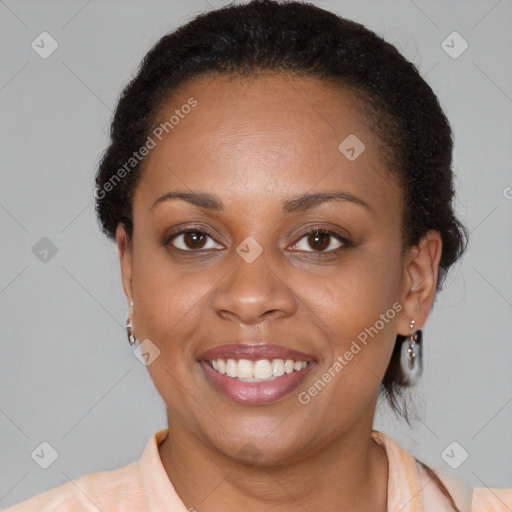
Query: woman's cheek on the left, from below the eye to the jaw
[[169, 311]]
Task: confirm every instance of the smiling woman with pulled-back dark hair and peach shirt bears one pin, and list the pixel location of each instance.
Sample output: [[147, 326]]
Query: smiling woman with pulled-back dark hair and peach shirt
[[279, 186]]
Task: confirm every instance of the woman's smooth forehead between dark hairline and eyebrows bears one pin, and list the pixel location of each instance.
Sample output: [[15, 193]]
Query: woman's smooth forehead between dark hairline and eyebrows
[[266, 137]]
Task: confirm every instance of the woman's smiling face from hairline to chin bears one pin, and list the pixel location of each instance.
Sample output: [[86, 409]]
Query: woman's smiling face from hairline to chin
[[250, 269]]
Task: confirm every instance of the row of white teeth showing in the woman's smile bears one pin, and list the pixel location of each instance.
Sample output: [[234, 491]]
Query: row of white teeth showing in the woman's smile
[[256, 371]]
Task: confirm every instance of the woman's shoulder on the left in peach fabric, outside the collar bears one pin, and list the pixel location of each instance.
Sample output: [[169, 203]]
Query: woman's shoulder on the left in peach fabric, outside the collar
[[88, 493]]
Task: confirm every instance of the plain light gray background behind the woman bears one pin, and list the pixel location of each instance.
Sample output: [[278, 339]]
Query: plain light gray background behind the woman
[[68, 375]]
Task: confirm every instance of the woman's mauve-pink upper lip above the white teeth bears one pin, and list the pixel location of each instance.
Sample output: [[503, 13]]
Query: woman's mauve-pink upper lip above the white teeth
[[253, 352]]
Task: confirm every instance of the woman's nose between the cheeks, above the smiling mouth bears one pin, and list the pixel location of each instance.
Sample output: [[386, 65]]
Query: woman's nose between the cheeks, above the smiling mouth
[[256, 292]]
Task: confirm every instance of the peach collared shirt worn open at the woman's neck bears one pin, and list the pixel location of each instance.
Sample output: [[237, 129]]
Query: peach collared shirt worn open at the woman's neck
[[143, 486]]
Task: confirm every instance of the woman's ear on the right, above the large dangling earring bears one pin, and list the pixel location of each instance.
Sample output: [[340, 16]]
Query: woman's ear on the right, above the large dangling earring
[[420, 281]]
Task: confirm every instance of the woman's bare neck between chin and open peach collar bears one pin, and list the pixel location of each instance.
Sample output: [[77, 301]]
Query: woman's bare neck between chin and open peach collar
[[350, 472]]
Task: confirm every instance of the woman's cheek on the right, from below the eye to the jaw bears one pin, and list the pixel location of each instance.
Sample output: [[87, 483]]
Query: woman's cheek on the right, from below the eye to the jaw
[[356, 308]]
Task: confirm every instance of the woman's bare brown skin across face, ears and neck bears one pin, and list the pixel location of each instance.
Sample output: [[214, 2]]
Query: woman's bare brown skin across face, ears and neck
[[255, 143]]
